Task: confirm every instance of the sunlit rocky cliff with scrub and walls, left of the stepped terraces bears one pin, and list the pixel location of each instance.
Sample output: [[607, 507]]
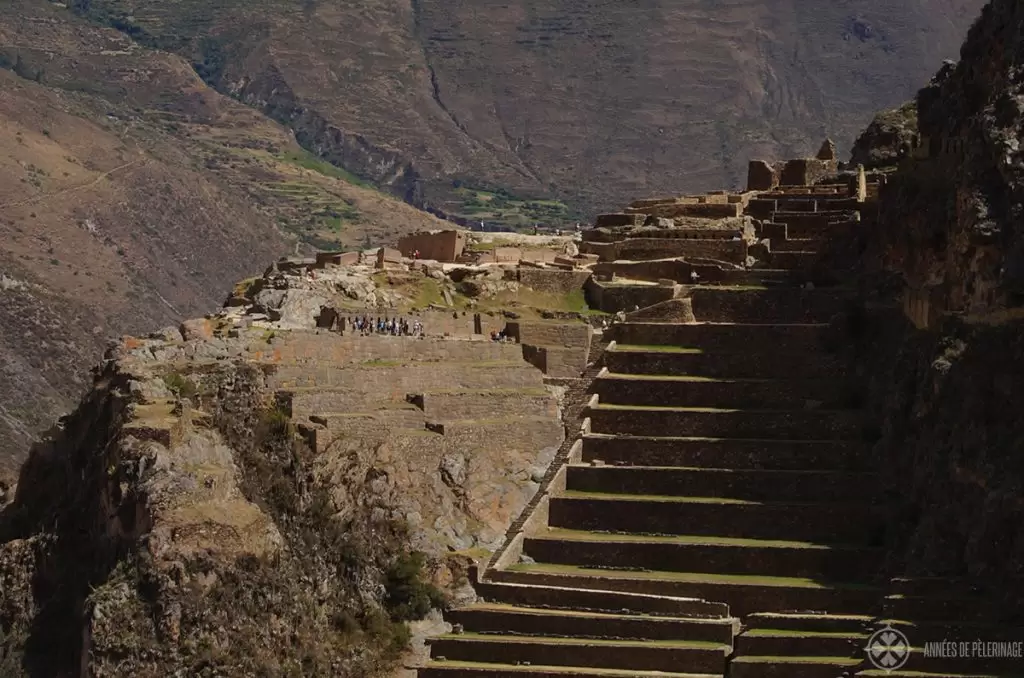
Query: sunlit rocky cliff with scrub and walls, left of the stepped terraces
[[246, 495]]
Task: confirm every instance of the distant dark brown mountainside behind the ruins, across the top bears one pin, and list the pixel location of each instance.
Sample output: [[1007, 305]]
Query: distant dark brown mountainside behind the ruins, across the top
[[590, 103]]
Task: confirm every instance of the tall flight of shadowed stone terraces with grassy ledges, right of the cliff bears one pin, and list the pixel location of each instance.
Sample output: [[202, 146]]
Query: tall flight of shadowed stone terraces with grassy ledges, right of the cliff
[[720, 514]]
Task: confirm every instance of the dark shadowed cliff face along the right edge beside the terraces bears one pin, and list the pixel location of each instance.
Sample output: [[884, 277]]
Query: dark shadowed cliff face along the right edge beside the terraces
[[949, 393]]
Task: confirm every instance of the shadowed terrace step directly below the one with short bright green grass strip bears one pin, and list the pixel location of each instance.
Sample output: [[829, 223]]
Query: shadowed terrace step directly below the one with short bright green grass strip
[[686, 392]]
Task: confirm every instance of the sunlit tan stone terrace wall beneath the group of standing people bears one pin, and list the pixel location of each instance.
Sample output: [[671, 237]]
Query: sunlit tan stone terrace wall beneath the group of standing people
[[475, 410]]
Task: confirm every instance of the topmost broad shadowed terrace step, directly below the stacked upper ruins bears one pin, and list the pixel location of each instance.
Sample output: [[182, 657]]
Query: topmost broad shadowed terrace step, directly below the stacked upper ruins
[[772, 306]]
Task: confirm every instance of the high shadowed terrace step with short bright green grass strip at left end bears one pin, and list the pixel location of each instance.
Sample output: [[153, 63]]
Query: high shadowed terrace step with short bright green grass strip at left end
[[658, 361]]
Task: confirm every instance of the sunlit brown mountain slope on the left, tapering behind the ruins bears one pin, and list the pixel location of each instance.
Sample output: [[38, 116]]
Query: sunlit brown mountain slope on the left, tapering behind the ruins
[[132, 196]]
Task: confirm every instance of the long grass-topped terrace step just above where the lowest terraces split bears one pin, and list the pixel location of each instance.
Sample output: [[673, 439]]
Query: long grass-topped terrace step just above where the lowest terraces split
[[744, 595]]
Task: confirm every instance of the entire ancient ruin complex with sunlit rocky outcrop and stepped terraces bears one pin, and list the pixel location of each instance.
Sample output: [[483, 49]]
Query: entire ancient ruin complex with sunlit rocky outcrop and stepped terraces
[[677, 479]]
